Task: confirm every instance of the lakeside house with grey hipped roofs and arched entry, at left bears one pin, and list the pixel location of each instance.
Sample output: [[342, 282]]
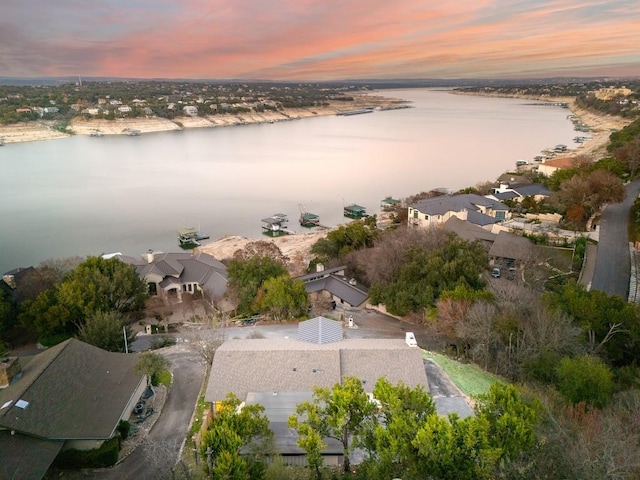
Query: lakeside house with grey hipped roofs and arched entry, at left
[[173, 274]]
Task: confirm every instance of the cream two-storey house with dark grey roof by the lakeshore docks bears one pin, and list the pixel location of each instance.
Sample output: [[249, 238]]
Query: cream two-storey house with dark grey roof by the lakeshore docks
[[476, 209]]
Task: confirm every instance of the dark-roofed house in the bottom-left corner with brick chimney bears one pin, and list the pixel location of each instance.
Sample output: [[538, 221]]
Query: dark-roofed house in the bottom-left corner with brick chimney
[[72, 395]]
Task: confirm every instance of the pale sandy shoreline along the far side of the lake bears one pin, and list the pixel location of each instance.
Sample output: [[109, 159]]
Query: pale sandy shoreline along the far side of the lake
[[43, 130]]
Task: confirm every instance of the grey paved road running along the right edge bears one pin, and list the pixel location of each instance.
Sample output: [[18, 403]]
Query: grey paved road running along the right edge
[[613, 265]]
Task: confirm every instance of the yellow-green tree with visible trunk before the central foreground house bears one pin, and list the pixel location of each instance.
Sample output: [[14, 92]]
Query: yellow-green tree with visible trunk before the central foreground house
[[339, 413]]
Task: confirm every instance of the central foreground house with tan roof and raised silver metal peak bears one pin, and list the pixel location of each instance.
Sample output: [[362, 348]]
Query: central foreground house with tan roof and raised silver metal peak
[[280, 373]]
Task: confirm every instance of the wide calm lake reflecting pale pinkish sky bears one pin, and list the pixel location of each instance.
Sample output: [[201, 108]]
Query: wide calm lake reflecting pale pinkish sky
[[89, 196]]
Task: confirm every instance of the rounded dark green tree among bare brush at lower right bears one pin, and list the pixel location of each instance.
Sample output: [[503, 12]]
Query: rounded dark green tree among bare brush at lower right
[[585, 379]]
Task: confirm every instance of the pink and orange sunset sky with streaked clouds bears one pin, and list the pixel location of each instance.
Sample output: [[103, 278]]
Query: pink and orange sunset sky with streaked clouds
[[319, 40]]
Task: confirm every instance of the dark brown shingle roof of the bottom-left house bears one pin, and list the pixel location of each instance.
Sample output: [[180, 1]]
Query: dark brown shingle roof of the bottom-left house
[[74, 391]]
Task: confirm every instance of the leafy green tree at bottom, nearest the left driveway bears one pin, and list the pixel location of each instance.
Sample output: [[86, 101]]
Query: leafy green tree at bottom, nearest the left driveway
[[234, 427]]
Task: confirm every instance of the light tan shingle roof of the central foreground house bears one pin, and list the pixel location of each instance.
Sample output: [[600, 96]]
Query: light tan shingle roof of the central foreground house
[[262, 365]]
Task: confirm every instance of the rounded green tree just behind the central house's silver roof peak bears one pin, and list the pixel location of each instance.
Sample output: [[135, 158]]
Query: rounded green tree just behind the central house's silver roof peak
[[282, 297]]
